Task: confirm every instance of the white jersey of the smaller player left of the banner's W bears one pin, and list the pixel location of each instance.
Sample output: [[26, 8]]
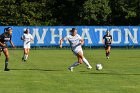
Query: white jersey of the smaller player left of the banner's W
[[27, 38]]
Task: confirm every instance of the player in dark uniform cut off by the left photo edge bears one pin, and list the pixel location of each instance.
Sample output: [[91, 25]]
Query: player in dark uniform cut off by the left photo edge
[[4, 38]]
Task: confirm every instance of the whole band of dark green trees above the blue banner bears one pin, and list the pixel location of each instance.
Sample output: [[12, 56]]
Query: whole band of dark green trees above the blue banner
[[69, 12]]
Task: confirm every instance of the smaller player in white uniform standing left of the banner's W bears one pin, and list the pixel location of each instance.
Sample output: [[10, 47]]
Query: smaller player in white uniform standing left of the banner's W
[[27, 38]]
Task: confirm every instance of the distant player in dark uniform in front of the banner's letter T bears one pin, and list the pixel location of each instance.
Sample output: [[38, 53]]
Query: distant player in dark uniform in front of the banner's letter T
[[107, 40]]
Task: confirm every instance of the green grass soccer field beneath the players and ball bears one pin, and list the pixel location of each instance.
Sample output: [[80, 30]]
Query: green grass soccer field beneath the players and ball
[[46, 72]]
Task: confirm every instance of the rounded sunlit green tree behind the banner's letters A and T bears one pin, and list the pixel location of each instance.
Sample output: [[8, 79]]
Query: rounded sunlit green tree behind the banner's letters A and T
[[95, 12]]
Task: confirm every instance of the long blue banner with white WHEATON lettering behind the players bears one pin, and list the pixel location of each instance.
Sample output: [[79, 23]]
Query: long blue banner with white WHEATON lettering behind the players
[[92, 35]]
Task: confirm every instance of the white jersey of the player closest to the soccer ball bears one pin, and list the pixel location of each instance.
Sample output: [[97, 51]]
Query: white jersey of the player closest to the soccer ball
[[74, 42]]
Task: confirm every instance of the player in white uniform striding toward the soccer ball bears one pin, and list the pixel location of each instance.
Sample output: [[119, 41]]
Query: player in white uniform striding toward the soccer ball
[[76, 43]]
